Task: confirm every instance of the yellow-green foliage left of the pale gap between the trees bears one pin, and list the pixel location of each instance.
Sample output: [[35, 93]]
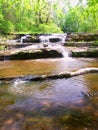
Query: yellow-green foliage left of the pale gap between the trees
[[32, 16]]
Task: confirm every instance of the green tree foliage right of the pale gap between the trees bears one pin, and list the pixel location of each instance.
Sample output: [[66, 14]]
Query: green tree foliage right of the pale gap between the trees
[[82, 18]]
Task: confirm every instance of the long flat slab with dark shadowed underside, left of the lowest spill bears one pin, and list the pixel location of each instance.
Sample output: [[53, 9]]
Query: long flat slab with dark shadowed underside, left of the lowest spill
[[31, 52]]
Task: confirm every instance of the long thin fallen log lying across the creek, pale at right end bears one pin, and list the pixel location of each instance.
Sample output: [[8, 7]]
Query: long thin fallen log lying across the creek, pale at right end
[[60, 75]]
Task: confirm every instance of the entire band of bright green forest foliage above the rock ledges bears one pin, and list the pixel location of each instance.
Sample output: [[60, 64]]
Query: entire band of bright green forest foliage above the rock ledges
[[46, 16]]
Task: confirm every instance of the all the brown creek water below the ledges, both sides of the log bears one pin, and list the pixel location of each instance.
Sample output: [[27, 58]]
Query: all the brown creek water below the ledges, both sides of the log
[[61, 104]]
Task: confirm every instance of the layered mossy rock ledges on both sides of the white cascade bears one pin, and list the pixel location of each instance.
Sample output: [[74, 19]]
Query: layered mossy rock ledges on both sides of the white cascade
[[80, 44]]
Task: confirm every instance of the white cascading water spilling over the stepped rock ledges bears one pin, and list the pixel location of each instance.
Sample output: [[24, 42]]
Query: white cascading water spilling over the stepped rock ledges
[[45, 42]]
